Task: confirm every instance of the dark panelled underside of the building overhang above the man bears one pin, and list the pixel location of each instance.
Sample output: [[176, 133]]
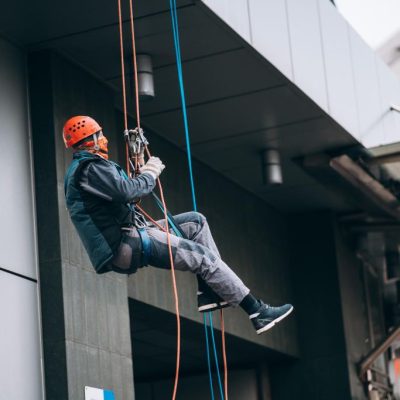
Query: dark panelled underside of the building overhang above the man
[[239, 104]]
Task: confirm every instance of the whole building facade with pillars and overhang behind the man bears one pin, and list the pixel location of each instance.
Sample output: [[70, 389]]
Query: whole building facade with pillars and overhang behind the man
[[288, 76]]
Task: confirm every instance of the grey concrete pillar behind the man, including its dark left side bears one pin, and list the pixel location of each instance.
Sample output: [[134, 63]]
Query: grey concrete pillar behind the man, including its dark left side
[[85, 316]]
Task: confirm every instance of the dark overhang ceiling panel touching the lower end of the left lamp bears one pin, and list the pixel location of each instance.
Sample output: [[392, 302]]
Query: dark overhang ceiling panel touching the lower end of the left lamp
[[215, 77]]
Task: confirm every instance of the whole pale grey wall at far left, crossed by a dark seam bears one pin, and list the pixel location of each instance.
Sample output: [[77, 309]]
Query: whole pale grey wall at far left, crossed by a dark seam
[[20, 347]]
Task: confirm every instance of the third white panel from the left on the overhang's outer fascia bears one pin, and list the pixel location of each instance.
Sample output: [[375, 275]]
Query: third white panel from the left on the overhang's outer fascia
[[306, 47]]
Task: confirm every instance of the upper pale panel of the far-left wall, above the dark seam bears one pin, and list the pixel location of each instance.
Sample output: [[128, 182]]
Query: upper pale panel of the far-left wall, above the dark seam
[[16, 204]]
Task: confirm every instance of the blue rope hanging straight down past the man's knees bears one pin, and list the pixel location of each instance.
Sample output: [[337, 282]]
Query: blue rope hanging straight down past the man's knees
[[175, 29]]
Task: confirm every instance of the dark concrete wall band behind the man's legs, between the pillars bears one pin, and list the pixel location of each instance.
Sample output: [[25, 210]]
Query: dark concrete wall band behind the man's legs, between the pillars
[[252, 237]]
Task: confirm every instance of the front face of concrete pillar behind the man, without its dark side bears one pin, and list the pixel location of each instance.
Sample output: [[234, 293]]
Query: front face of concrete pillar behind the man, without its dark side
[[95, 306]]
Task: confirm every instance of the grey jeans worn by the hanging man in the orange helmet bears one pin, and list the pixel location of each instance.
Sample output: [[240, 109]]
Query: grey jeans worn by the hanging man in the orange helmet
[[197, 254]]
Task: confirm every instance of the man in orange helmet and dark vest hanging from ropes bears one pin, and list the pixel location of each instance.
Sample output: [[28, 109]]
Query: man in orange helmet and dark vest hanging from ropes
[[101, 201]]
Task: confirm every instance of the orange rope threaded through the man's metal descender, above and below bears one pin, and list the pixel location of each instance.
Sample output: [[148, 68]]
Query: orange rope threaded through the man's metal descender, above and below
[[171, 258]]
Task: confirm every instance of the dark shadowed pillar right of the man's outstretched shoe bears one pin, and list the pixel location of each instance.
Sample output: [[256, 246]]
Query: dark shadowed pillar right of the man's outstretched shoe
[[322, 370]]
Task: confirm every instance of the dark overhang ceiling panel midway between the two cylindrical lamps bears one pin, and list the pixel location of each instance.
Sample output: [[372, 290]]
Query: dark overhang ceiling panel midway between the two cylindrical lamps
[[253, 111]]
